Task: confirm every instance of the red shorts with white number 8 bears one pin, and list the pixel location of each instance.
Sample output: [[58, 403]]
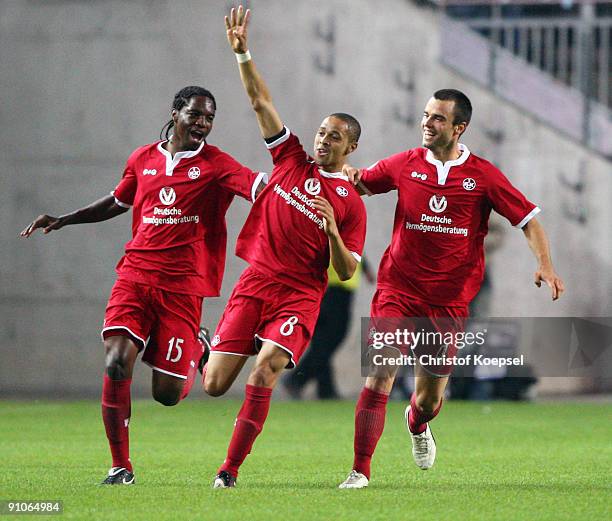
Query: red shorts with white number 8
[[263, 310]]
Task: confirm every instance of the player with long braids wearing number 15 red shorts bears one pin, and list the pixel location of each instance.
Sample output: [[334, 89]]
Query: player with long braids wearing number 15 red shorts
[[180, 189]]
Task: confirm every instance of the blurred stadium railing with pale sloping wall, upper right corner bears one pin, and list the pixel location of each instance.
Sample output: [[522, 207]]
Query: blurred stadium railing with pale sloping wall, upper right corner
[[546, 66]]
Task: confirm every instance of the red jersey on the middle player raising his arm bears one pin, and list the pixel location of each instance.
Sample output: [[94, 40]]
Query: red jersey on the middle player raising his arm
[[283, 236]]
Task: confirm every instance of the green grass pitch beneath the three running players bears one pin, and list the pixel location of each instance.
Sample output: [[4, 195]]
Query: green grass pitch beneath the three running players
[[495, 461]]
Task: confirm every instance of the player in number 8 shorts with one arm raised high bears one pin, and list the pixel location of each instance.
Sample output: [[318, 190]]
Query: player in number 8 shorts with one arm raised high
[[308, 215]]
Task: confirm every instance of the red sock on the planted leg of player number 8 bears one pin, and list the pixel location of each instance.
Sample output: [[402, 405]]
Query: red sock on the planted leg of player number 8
[[249, 424]]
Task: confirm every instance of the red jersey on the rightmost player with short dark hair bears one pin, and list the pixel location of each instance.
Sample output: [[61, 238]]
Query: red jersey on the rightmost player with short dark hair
[[436, 253]]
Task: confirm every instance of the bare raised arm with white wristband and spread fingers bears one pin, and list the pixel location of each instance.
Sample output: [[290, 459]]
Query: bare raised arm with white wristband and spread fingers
[[269, 121]]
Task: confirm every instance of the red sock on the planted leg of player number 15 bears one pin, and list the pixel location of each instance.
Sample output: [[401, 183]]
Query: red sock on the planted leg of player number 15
[[116, 409]]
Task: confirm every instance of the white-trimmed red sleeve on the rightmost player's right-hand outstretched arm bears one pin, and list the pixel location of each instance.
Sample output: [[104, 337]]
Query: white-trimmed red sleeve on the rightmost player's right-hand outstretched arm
[[509, 201]]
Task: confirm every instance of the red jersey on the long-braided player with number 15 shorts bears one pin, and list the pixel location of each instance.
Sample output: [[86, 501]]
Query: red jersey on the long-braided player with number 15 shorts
[[178, 223]]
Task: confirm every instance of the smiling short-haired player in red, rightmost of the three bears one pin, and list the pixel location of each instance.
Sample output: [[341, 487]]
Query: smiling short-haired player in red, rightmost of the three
[[435, 263]]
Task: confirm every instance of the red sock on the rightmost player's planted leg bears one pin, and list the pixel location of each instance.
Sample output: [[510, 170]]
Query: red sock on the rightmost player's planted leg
[[369, 425]]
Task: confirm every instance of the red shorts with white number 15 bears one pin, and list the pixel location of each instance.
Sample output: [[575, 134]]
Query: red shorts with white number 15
[[163, 323]]
